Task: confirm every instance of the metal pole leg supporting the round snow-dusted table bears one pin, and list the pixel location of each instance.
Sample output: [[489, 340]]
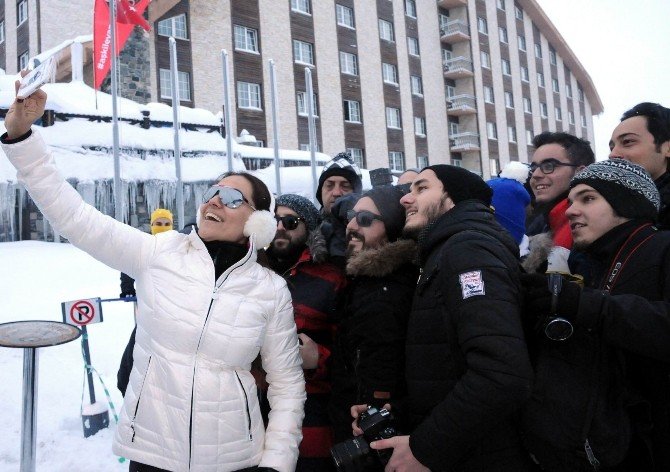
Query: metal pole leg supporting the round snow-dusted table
[[29, 414]]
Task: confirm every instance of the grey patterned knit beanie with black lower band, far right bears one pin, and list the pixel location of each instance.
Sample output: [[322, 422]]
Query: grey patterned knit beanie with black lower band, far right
[[627, 187]]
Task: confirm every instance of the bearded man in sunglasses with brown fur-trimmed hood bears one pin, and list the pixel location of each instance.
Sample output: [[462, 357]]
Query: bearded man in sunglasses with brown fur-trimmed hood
[[368, 360]]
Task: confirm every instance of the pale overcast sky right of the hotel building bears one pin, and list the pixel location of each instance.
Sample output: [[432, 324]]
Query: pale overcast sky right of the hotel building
[[625, 48]]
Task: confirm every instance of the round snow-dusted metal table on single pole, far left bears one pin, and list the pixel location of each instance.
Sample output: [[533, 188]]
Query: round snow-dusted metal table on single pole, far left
[[30, 335]]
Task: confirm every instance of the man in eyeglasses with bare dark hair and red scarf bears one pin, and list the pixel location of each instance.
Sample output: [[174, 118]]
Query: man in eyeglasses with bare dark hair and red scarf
[[557, 157]]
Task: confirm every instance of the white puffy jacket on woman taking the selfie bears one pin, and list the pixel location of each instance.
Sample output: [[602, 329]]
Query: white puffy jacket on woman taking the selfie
[[191, 403]]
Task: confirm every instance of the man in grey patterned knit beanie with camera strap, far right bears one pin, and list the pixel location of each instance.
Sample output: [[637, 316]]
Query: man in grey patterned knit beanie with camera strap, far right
[[619, 346]]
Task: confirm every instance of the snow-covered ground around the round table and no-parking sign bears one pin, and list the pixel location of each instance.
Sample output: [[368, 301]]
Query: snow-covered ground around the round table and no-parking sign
[[36, 277]]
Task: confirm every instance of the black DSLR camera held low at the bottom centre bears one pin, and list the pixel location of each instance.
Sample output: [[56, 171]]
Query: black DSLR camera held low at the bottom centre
[[355, 454]]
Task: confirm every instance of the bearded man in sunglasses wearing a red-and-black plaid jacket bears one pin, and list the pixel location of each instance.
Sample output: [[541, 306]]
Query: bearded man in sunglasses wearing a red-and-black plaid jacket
[[298, 253]]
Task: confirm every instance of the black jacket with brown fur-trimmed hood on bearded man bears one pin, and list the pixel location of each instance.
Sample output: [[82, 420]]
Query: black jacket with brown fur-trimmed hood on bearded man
[[369, 353]]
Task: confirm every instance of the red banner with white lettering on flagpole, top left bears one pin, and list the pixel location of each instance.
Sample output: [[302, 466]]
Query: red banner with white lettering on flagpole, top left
[[128, 14]]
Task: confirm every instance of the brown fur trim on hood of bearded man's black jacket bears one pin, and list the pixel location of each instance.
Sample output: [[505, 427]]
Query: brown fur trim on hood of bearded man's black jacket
[[384, 260]]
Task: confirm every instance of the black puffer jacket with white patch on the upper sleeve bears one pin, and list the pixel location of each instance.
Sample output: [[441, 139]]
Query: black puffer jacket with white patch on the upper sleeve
[[468, 370]]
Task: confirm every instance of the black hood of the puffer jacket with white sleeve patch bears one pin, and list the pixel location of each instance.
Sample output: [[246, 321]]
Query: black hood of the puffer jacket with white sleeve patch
[[468, 215]]
